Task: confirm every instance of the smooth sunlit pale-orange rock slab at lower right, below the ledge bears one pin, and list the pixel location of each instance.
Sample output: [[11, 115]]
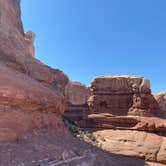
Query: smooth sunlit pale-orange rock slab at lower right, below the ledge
[[134, 143]]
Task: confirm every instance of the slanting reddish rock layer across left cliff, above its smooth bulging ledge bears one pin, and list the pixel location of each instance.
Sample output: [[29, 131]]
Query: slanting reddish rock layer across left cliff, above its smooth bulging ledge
[[52, 78]]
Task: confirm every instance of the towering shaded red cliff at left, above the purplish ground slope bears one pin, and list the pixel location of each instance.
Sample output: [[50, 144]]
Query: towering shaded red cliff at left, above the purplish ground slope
[[30, 92]]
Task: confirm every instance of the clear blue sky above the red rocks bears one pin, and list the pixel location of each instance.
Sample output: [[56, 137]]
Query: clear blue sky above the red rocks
[[86, 38]]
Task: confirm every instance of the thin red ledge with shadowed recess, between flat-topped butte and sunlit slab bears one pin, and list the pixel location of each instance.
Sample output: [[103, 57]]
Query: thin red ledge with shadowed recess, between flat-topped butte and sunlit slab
[[107, 121]]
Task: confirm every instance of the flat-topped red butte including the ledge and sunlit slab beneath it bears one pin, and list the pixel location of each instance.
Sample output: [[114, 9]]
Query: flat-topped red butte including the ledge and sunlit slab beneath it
[[125, 117]]
